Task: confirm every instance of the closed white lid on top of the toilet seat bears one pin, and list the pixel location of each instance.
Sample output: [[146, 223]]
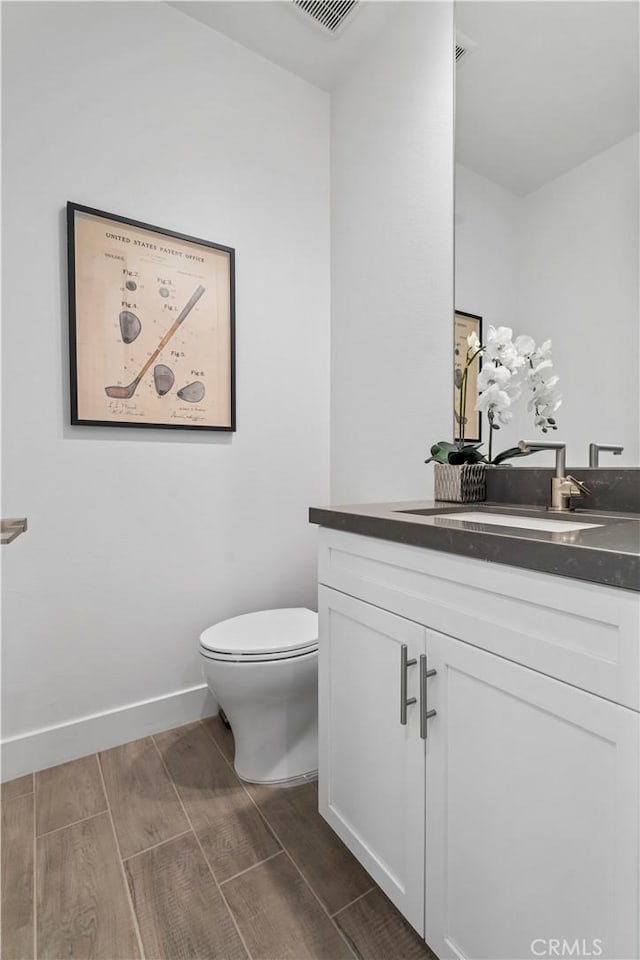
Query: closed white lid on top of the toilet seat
[[268, 631]]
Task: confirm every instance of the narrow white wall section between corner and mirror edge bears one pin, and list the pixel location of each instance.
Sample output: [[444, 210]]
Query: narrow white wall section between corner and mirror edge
[[391, 259]]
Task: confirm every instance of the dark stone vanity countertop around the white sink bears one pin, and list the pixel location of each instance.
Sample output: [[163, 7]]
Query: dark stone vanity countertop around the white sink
[[607, 553]]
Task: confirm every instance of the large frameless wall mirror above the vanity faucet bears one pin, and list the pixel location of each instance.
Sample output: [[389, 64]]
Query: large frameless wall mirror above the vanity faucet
[[547, 201]]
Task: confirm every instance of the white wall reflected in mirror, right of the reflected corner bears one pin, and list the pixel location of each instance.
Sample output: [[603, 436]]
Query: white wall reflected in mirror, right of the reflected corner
[[579, 276]]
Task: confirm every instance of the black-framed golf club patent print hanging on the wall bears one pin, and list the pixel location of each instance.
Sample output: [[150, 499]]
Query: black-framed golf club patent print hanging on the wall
[[190, 264]]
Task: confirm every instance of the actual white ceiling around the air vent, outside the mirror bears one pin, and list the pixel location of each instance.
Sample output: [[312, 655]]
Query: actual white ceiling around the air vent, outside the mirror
[[277, 30]]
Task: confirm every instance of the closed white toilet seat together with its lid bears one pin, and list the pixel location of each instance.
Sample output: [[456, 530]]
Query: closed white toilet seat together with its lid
[[266, 635]]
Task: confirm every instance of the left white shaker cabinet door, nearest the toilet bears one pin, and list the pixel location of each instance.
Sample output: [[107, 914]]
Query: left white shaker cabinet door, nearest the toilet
[[371, 767]]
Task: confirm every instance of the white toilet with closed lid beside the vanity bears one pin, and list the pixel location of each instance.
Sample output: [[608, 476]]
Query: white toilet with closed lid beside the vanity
[[262, 668]]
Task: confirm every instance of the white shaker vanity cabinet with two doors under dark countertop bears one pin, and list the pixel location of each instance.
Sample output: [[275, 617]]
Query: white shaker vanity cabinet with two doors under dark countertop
[[516, 821]]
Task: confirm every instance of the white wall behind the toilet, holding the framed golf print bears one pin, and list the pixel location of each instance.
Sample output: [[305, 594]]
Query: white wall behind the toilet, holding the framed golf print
[[139, 539]]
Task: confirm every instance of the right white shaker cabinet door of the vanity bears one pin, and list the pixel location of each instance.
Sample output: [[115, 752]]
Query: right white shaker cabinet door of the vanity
[[532, 813]]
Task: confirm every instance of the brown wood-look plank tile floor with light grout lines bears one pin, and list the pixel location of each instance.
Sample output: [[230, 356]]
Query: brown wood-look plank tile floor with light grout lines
[[155, 849]]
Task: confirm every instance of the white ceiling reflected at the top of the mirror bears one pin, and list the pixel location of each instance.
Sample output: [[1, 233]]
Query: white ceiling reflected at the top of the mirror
[[548, 86]]
